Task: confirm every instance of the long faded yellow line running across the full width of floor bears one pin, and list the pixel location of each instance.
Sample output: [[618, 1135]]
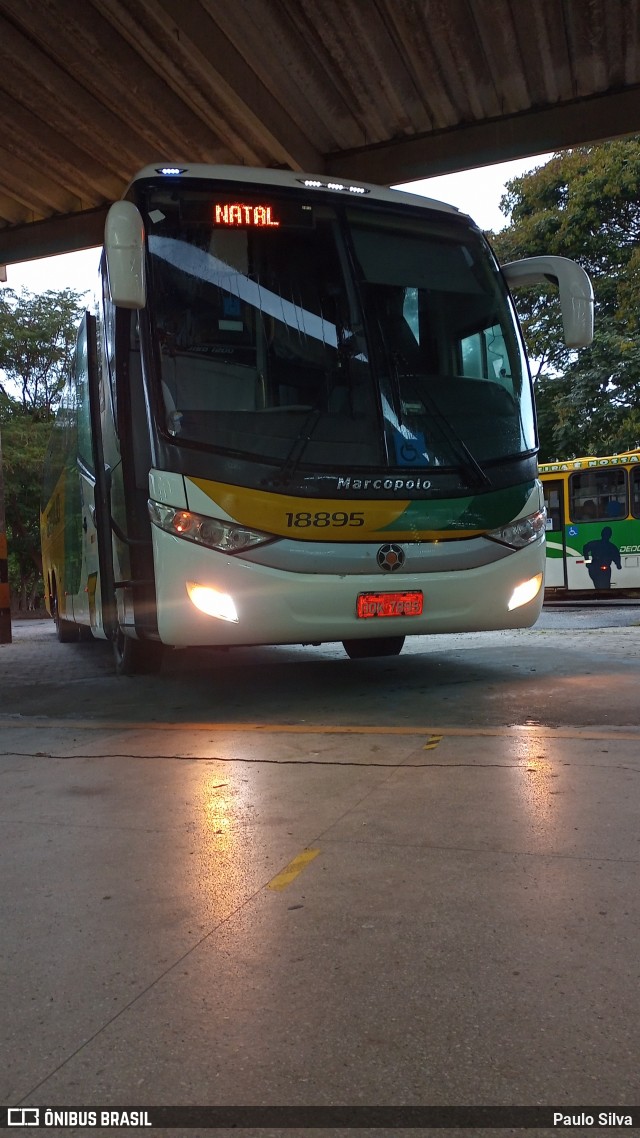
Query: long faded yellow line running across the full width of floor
[[515, 731]]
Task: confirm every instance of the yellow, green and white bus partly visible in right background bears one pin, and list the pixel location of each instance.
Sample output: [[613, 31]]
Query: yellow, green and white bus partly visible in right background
[[593, 526]]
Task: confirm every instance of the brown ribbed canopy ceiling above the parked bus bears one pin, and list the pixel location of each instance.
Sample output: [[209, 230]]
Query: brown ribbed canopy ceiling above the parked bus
[[380, 90]]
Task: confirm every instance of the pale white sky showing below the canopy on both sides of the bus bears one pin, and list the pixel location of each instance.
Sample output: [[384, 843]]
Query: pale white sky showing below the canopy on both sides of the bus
[[475, 192]]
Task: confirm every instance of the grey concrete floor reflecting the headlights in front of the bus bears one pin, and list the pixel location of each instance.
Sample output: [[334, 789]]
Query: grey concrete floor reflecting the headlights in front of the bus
[[466, 933]]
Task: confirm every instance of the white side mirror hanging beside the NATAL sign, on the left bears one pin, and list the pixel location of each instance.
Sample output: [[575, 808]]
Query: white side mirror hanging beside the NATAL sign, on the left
[[125, 249]]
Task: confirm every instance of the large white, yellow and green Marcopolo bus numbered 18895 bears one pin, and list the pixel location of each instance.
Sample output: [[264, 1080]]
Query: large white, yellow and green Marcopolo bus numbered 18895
[[300, 413]]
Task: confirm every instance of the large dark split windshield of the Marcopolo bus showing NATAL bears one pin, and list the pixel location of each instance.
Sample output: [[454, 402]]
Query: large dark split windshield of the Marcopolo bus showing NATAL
[[292, 332]]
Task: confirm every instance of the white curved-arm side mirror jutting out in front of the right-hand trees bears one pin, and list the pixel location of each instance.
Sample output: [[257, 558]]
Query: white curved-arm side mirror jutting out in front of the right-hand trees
[[577, 295]]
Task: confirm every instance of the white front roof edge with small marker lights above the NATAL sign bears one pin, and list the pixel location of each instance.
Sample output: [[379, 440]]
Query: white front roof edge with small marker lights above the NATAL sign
[[294, 180]]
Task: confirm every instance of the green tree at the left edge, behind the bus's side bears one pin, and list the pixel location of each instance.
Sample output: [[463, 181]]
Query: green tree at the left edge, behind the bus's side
[[37, 343]]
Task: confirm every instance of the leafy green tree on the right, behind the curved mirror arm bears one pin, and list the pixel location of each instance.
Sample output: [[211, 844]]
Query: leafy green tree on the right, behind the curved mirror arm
[[582, 204]]
